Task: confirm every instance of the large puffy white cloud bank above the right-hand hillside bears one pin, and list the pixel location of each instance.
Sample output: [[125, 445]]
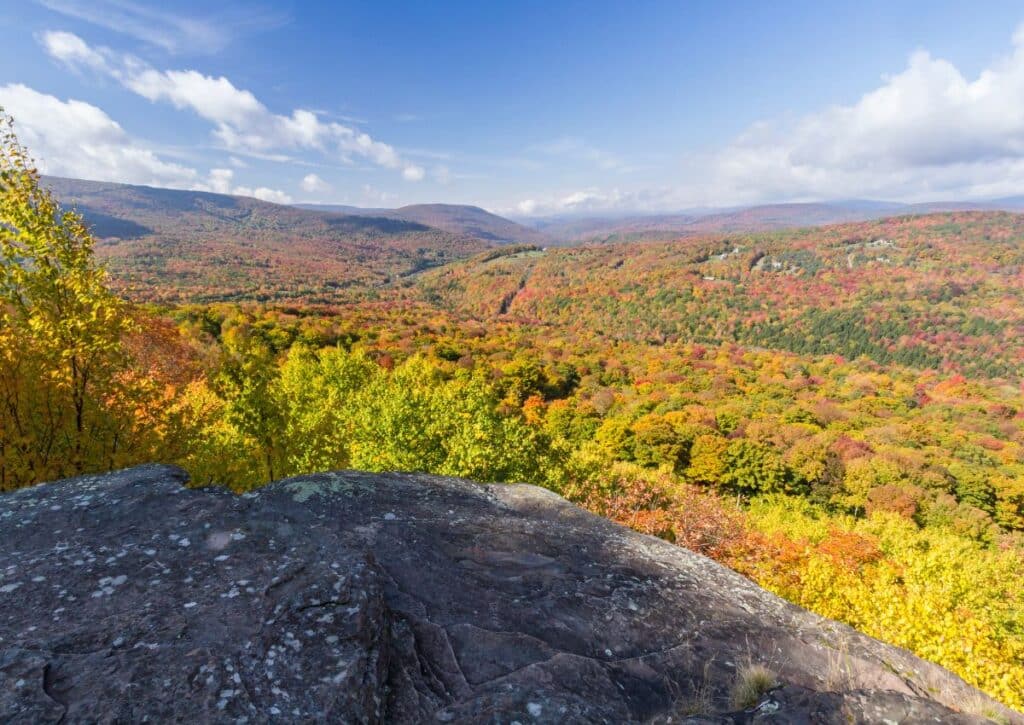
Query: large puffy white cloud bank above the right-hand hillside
[[926, 133]]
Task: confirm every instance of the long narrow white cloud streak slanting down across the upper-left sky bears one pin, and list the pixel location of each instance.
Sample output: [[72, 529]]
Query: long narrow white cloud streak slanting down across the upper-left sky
[[241, 122]]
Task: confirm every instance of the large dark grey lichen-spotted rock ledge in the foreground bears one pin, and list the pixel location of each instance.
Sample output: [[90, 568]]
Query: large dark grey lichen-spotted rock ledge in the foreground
[[359, 598]]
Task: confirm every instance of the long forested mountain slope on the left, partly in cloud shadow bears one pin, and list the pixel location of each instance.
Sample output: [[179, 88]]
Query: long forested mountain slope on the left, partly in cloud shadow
[[165, 245]]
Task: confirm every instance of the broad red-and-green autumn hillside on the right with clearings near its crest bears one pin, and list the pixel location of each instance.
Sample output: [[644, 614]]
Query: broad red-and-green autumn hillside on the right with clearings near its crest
[[943, 291]]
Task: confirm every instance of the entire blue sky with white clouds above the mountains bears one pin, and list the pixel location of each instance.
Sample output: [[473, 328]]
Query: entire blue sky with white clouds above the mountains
[[527, 109]]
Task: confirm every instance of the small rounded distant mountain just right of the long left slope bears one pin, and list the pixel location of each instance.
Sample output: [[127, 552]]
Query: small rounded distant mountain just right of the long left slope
[[456, 219]]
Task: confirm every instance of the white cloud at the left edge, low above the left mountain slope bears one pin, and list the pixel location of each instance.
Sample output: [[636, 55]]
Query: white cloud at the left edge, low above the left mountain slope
[[75, 139]]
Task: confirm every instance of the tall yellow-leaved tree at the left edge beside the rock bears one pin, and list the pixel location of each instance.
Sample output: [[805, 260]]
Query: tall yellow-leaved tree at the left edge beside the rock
[[68, 399]]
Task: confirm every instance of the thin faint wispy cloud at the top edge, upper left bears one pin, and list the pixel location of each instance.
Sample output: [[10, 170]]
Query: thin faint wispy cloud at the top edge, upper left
[[172, 31]]
